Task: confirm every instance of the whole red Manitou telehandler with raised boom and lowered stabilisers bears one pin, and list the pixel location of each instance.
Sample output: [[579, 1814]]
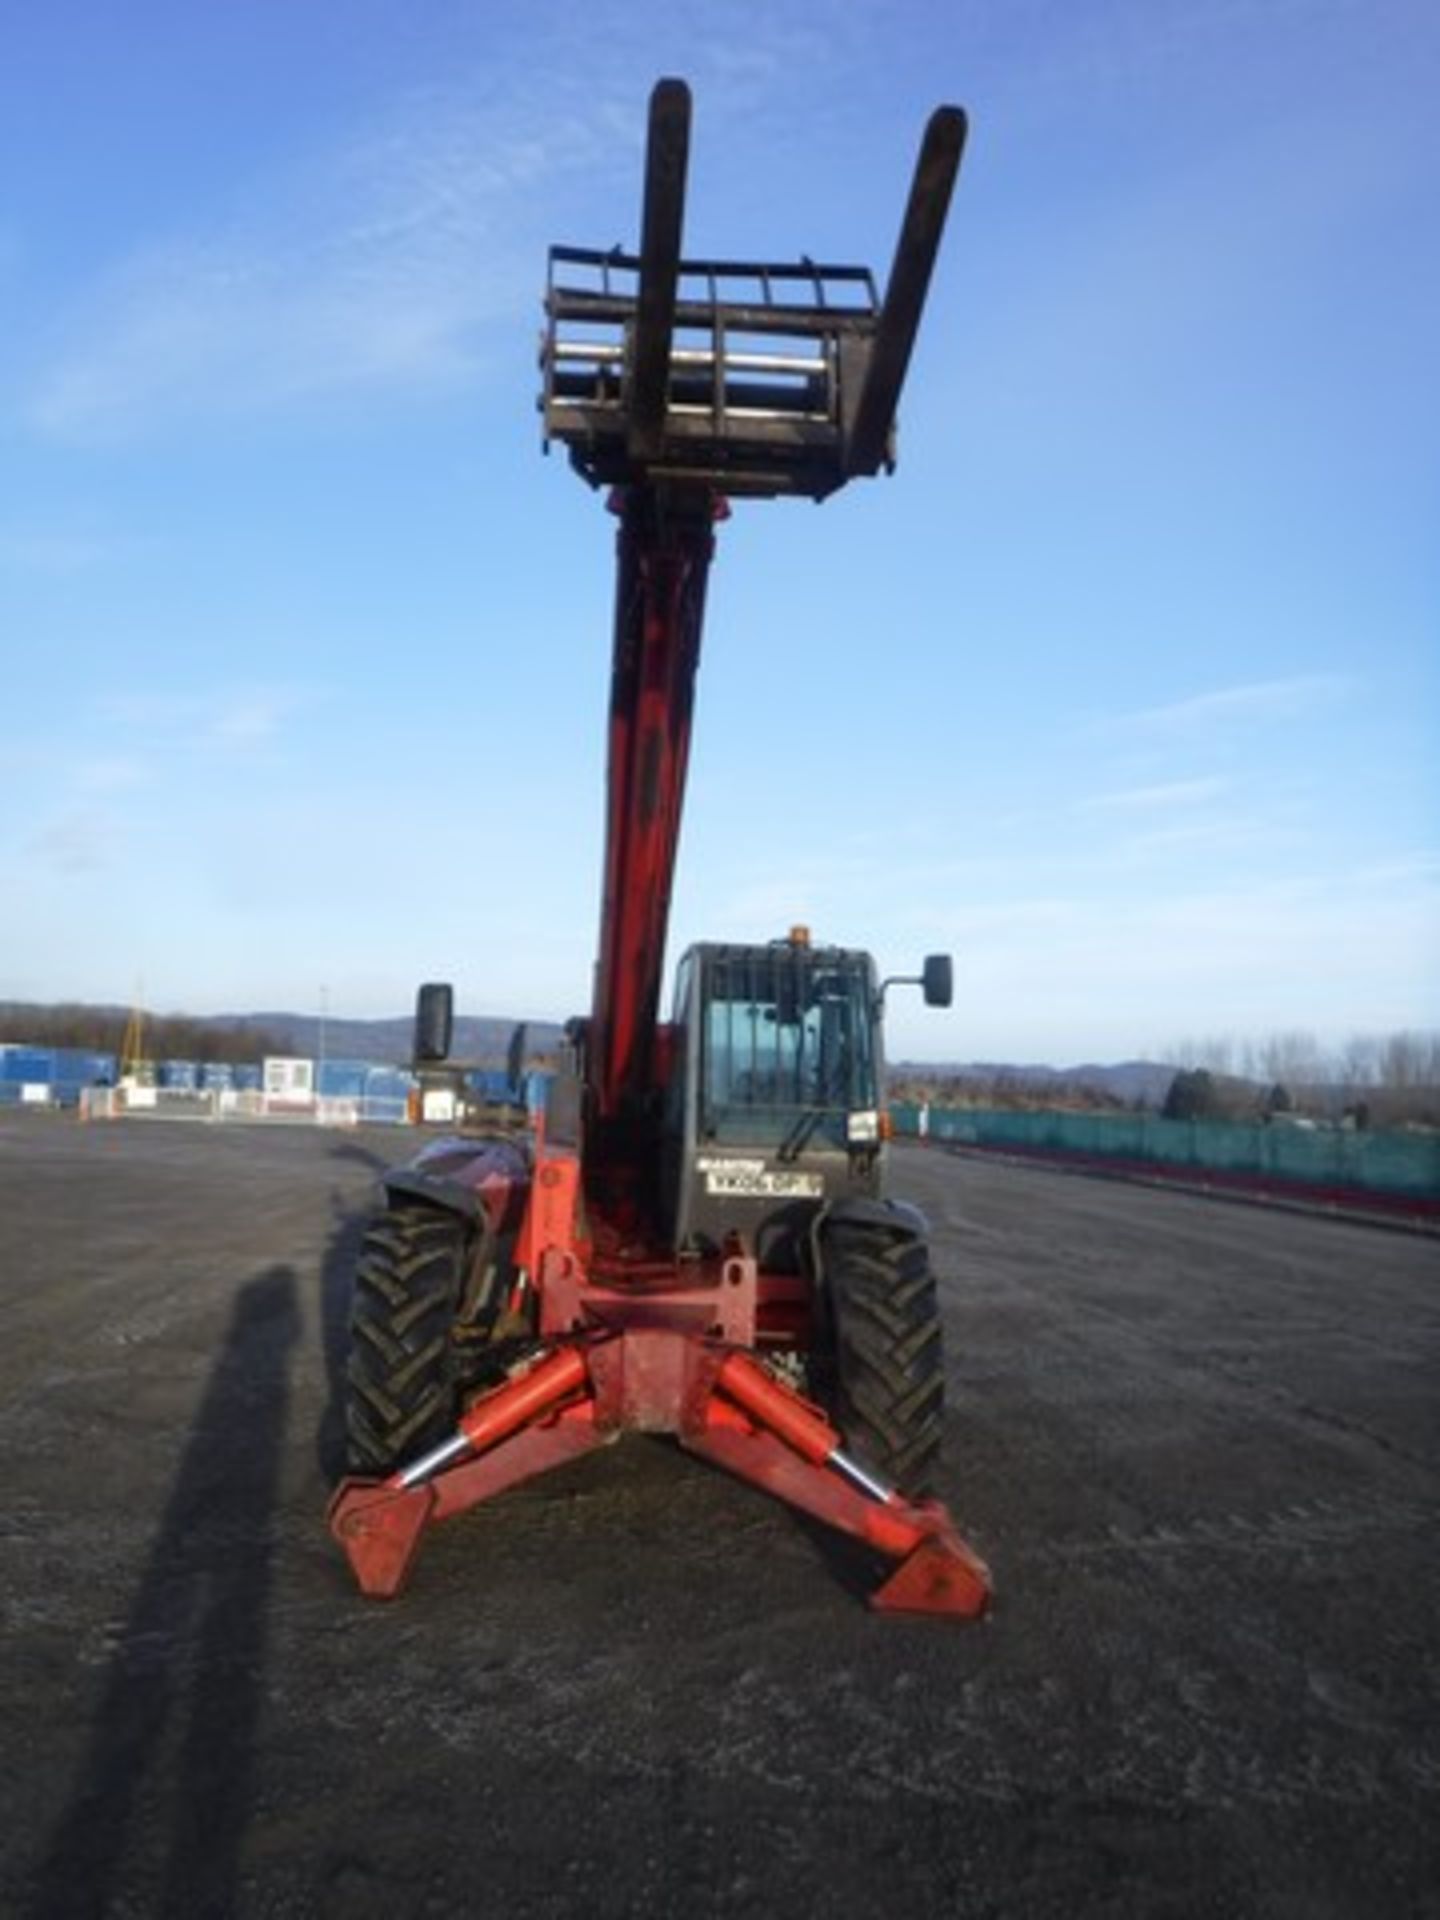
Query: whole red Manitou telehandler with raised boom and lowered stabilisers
[[698, 1241]]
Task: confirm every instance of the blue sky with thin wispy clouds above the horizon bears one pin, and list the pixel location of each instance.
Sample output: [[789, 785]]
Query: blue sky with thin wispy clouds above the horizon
[[1122, 688]]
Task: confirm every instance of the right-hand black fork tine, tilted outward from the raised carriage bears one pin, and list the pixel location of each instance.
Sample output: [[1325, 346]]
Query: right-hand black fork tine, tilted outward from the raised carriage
[[909, 283]]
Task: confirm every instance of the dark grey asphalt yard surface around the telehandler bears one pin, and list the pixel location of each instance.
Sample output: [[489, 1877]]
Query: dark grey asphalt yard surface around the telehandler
[[1199, 1445]]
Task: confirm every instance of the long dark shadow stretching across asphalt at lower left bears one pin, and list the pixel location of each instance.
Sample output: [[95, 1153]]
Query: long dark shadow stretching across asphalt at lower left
[[168, 1783]]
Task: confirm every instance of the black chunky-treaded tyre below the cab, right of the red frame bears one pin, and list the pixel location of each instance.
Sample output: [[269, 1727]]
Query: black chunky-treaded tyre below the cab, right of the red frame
[[886, 1368]]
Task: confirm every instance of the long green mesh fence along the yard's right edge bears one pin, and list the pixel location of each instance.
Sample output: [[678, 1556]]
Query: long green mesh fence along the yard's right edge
[[1383, 1163]]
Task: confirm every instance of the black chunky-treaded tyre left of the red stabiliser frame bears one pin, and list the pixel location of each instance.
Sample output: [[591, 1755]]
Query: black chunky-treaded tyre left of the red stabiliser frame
[[406, 1372]]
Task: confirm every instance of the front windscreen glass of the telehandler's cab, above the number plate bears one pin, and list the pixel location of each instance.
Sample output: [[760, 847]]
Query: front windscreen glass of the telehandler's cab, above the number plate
[[786, 1038]]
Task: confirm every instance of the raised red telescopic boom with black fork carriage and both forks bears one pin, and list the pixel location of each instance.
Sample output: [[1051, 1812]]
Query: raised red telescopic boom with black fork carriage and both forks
[[786, 383]]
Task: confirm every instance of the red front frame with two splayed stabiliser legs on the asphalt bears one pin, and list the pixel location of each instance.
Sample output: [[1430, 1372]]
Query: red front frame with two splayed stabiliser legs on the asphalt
[[654, 1356]]
